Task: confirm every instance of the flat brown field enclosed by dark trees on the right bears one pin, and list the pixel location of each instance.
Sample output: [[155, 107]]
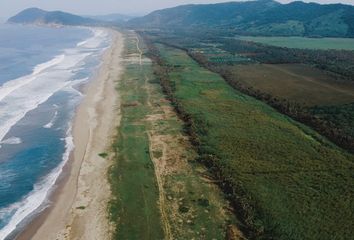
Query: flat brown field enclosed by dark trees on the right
[[295, 82]]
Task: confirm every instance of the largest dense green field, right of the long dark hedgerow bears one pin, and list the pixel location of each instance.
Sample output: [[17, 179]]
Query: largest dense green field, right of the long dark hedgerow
[[290, 182]]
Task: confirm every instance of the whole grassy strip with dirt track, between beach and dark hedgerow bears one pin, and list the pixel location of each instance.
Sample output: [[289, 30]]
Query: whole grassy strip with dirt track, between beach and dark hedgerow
[[160, 191]]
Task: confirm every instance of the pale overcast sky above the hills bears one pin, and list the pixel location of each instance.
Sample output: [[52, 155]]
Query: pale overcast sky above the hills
[[11, 7]]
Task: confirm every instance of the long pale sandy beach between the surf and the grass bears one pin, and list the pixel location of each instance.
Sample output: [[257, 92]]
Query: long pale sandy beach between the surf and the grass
[[79, 204]]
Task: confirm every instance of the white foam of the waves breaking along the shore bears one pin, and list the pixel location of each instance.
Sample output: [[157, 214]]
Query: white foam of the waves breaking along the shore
[[19, 96]]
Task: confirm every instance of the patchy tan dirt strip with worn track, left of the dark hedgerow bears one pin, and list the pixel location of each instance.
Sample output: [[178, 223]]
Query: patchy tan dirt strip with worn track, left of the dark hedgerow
[[191, 208]]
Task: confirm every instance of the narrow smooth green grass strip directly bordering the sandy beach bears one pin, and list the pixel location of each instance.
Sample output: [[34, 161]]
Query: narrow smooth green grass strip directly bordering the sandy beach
[[134, 208]]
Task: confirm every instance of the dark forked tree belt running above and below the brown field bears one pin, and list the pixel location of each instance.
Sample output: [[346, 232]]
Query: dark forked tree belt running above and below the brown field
[[337, 62]]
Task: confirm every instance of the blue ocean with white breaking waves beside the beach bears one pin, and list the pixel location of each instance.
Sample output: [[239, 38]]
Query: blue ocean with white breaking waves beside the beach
[[41, 73]]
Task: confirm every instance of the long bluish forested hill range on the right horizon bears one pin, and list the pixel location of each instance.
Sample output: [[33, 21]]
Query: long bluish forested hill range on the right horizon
[[262, 17]]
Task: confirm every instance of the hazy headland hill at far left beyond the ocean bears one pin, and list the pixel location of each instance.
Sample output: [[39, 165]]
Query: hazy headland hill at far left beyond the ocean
[[39, 16]]
